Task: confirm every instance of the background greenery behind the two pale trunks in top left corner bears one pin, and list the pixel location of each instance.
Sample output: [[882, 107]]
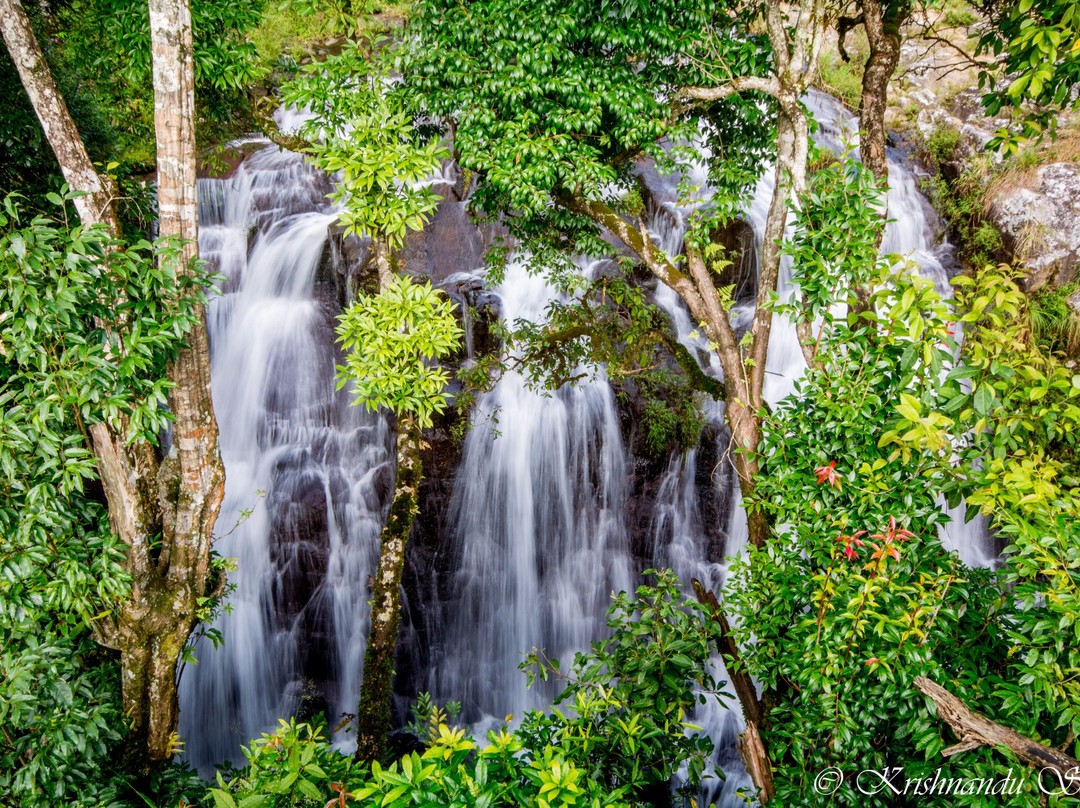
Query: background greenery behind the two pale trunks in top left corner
[[100, 55]]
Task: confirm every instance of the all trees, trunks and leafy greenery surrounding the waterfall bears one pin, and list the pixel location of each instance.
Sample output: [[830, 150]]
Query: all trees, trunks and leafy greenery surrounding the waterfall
[[854, 637]]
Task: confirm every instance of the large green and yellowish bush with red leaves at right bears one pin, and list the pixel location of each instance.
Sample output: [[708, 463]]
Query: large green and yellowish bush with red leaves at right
[[856, 596]]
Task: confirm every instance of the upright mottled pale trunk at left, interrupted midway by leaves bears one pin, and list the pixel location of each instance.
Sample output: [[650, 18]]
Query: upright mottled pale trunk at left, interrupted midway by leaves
[[153, 629]]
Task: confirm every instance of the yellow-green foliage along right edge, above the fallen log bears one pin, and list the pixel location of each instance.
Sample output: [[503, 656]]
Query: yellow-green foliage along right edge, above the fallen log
[[1023, 461]]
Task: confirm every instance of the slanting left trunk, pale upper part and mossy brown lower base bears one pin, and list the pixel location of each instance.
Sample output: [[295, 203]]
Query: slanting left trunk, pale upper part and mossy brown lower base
[[151, 627]]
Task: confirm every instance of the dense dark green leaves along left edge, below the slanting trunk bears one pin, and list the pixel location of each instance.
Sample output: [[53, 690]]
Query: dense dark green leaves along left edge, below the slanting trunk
[[86, 331]]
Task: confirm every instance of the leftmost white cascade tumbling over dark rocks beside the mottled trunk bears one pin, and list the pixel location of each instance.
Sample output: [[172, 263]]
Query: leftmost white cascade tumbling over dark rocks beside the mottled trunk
[[295, 638]]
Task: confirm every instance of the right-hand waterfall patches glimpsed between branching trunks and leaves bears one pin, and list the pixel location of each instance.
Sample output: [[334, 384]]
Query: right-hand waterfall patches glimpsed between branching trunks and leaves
[[679, 534]]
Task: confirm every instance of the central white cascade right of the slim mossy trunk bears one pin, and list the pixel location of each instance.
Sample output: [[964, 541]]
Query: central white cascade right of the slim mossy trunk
[[537, 530]]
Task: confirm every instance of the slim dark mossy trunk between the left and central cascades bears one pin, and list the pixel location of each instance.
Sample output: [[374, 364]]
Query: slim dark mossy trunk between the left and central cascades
[[373, 716]]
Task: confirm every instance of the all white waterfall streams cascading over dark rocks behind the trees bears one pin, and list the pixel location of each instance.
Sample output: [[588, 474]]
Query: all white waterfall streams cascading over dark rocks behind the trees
[[525, 530]]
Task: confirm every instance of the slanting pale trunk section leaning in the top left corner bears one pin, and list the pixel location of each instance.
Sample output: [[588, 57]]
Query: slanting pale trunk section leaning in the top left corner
[[98, 206]]
